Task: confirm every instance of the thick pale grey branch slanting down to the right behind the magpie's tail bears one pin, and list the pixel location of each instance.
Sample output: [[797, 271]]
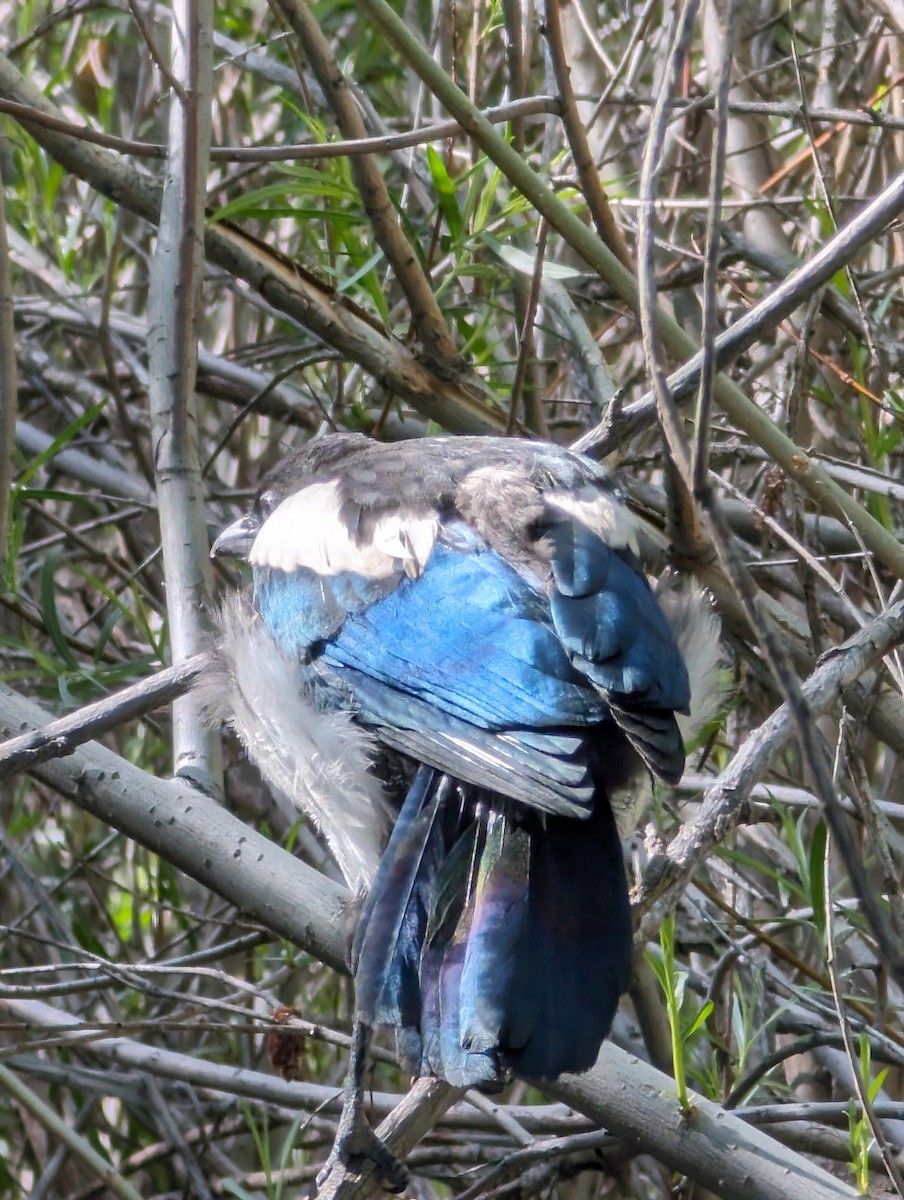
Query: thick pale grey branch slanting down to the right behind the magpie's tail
[[711, 1147]]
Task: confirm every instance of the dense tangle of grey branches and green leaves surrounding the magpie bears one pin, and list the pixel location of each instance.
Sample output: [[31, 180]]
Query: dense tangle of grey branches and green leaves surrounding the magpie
[[178, 178]]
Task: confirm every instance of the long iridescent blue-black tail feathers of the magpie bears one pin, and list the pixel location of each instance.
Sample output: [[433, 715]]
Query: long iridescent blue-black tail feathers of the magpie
[[496, 940]]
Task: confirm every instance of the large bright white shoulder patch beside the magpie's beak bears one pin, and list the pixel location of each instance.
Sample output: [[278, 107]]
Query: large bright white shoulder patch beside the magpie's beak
[[308, 531]]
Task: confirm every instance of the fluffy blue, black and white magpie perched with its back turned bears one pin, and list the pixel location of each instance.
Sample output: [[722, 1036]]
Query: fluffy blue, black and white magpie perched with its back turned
[[454, 663]]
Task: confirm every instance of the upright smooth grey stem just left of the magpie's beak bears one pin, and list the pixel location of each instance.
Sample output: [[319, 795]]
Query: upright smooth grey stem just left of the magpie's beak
[[173, 316]]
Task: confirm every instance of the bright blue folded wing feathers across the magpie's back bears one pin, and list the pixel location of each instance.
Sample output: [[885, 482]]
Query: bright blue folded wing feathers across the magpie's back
[[476, 668]]
